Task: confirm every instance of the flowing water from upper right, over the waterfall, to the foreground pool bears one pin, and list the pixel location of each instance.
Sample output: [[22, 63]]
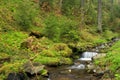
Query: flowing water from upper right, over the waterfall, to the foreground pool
[[77, 71]]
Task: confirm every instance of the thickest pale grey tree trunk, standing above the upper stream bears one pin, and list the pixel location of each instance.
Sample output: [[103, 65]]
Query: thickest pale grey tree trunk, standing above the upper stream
[[100, 16]]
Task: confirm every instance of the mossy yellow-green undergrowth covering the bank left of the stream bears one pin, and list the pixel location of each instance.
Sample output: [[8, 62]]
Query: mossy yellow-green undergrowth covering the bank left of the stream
[[41, 50]]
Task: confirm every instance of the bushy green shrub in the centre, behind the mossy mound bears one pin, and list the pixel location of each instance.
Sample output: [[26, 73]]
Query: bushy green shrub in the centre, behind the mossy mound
[[61, 29]]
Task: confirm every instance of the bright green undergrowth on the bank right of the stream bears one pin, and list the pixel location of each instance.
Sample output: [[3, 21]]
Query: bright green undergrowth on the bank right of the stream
[[112, 60]]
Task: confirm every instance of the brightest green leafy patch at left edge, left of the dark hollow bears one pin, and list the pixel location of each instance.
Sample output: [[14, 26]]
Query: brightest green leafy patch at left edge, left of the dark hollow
[[13, 38]]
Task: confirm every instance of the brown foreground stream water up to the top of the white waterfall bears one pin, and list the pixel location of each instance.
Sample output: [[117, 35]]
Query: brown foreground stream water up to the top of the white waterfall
[[74, 72]]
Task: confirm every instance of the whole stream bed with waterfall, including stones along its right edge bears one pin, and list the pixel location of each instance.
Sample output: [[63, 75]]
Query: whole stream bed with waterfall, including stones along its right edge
[[84, 68]]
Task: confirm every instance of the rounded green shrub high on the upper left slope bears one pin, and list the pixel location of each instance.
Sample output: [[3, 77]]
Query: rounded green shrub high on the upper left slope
[[25, 14]]
